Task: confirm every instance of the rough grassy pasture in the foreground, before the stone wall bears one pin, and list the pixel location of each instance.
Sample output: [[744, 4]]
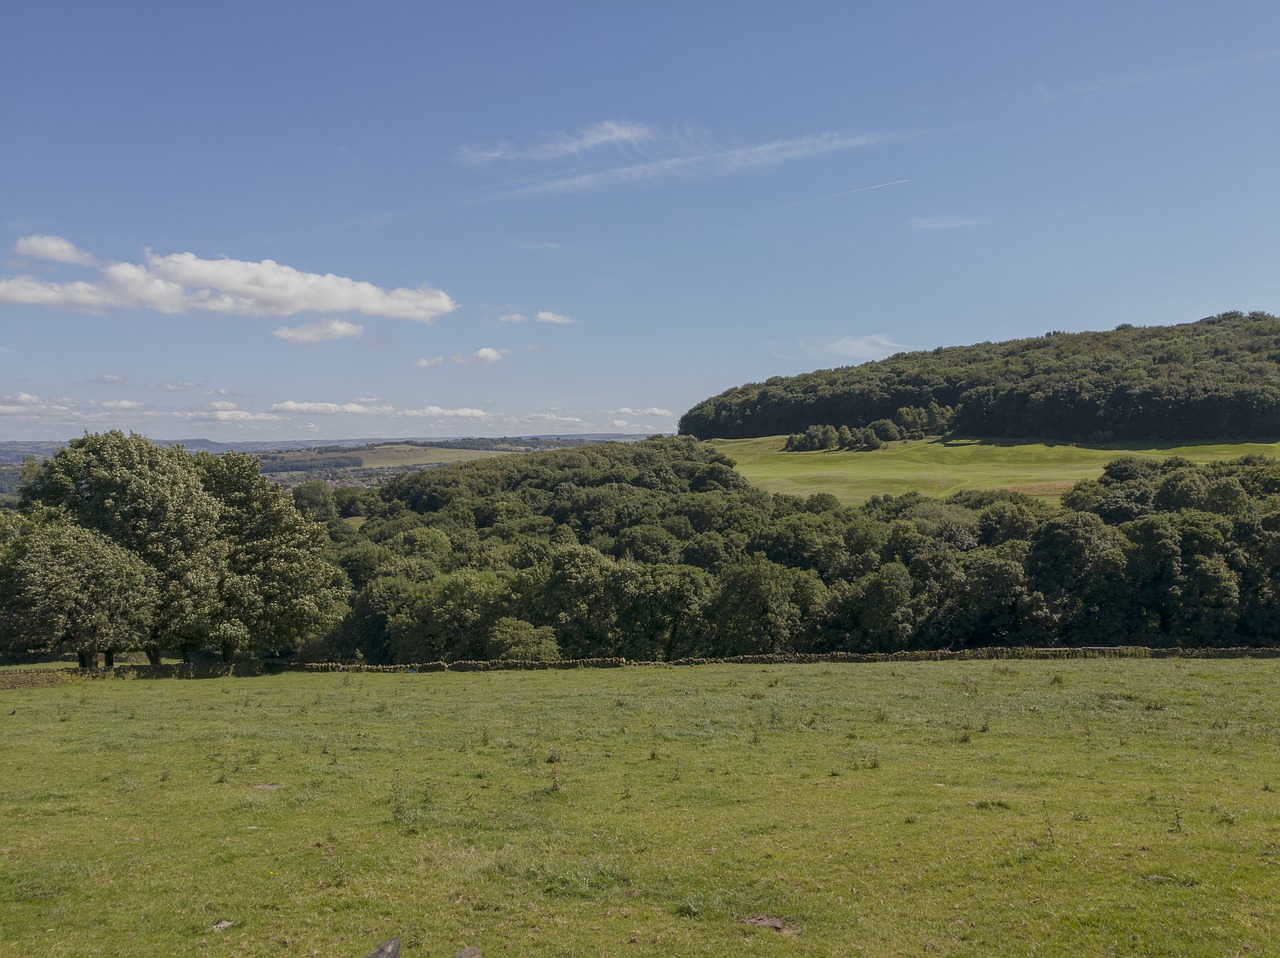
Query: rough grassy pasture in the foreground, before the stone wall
[[1096, 808]]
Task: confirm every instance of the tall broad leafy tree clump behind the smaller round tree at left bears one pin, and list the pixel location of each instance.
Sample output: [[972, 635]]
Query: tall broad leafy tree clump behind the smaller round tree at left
[[231, 562]]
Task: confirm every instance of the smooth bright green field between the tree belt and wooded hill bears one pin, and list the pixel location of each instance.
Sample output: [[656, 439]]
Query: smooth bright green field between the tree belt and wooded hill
[[940, 468]]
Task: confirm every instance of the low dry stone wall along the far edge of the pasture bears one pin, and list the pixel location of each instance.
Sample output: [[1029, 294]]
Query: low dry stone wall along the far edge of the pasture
[[31, 678]]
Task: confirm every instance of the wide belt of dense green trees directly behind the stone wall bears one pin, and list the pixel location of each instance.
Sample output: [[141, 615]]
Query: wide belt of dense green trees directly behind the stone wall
[[656, 550]]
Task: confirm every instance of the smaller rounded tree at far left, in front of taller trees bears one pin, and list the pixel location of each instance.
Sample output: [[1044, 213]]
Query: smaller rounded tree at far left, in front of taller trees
[[68, 589]]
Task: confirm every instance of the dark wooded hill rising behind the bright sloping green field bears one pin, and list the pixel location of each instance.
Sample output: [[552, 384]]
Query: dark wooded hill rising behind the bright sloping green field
[[1214, 380]]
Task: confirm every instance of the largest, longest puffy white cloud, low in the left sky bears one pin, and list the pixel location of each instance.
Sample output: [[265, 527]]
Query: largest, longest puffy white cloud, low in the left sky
[[182, 284]]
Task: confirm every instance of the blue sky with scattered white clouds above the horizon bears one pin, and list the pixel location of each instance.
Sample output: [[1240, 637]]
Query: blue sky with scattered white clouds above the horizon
[[285, 221]]
